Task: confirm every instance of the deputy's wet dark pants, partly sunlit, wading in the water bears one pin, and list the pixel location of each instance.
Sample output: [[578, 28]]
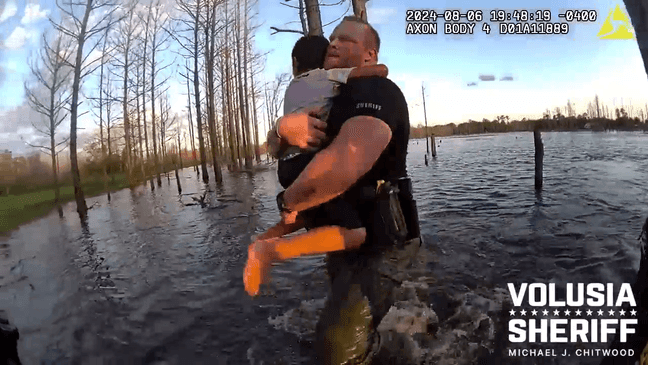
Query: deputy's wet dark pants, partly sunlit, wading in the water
[[360, 294]]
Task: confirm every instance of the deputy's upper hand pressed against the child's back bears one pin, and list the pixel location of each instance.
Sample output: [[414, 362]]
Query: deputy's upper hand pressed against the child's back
[[303, 129]]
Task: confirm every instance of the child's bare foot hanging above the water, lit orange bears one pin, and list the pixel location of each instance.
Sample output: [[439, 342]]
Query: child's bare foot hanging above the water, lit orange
[[258, 265]]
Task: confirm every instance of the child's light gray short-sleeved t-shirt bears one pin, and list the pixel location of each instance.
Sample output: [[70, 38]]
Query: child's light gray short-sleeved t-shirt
[[310, 89]]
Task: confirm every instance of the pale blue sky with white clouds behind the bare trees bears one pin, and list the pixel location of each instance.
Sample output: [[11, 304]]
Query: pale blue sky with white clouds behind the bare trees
[[547, 70]]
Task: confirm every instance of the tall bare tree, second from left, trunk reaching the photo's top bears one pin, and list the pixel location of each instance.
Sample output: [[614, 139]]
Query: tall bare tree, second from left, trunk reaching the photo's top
[[79, 30]]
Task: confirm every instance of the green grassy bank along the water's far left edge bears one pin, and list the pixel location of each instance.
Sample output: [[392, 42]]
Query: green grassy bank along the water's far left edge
[[19, 209]]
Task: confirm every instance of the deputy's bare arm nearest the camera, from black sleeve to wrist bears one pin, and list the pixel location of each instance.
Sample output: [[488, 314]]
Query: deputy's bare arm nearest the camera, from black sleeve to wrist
[[355, 150]]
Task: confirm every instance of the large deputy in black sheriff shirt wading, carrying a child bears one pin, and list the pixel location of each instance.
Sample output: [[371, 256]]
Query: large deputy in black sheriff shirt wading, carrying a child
[[365, 162]]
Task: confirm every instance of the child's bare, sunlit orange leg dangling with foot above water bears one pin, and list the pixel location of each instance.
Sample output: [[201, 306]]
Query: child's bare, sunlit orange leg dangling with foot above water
[[262, 254]]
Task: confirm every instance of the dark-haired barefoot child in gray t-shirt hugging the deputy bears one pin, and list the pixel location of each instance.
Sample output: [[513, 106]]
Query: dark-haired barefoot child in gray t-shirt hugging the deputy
[[311, 86]]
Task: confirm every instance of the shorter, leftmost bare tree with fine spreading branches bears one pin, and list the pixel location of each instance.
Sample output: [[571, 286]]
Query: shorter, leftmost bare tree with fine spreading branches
[[51, 75]]
